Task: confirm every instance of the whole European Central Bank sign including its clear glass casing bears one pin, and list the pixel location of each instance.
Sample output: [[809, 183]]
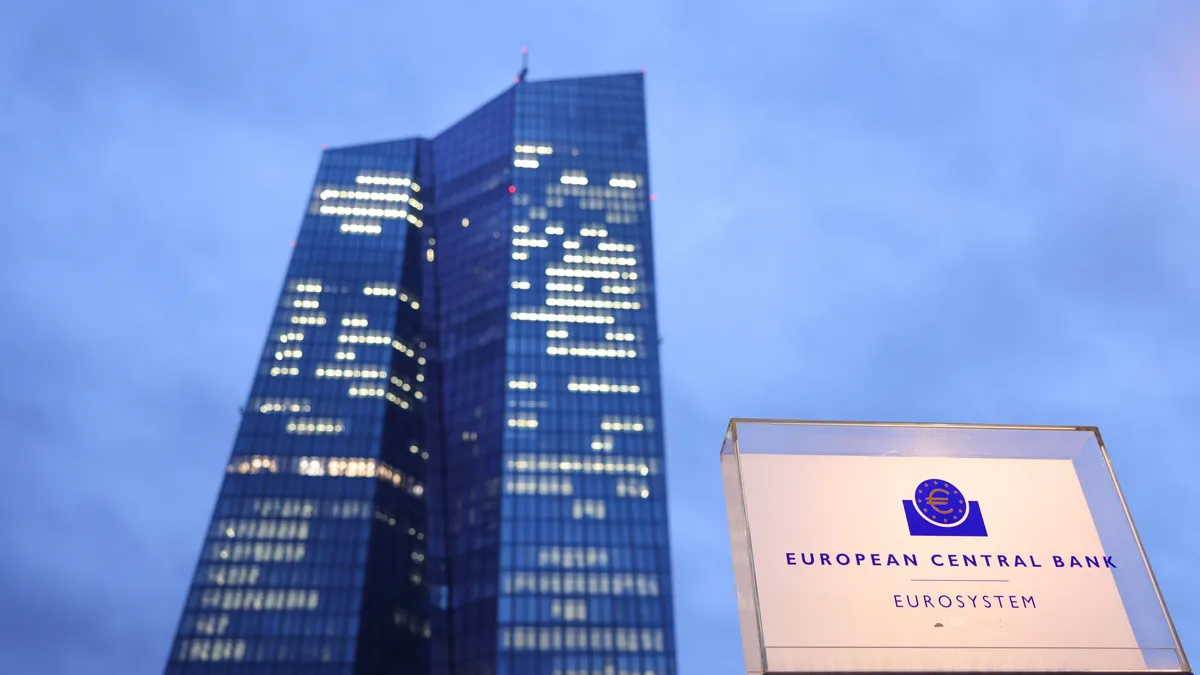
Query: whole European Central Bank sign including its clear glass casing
[[933, 548]]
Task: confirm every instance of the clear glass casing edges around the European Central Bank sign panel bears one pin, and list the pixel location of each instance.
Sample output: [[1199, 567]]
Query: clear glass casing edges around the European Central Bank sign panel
[[1142, 599]]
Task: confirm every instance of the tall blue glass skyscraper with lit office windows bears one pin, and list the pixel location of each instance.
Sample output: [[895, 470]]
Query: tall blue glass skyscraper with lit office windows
[[452, 458]]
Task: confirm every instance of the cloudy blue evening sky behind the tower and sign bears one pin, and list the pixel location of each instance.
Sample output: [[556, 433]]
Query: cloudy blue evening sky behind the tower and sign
[[979, 212]]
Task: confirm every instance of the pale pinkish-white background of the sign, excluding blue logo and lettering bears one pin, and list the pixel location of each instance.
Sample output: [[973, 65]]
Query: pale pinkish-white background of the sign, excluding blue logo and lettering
[[845, 618]]
